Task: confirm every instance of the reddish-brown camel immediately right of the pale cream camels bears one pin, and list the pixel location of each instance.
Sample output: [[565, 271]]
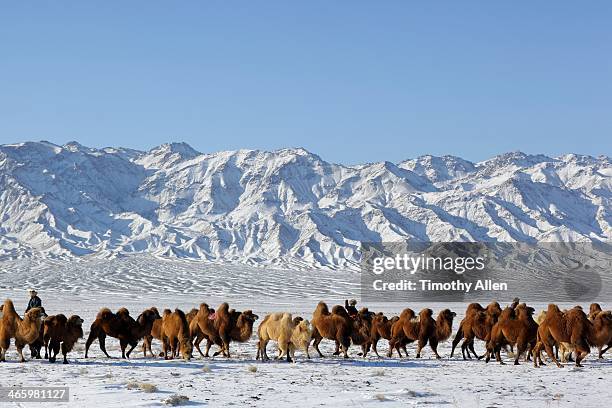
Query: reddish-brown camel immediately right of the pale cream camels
[[336, 326]]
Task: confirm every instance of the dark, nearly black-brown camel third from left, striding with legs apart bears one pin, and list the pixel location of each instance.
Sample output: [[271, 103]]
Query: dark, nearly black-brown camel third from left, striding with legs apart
[[121, 326]]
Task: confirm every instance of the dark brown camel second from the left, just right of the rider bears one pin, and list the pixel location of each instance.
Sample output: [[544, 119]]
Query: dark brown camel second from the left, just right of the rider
[[58, 329]]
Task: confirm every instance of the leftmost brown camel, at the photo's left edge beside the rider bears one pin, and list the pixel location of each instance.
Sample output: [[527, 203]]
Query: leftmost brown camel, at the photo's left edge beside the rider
[[24, 331]]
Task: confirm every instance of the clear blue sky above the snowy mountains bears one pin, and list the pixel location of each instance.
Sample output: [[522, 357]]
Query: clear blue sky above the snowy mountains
[[354, 81]]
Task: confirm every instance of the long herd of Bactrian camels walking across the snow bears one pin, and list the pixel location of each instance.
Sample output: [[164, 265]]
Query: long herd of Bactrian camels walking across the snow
[[565, 335]]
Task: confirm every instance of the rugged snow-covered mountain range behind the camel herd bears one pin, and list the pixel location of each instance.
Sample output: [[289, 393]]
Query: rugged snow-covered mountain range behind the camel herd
[[288, 206]]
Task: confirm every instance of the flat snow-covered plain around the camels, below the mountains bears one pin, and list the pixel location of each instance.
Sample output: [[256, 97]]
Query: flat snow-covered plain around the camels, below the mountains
[[138, 282]]
